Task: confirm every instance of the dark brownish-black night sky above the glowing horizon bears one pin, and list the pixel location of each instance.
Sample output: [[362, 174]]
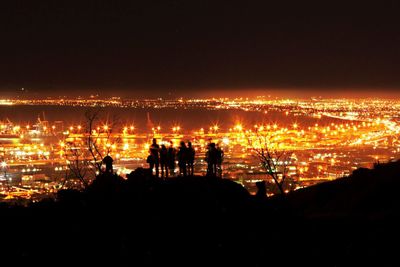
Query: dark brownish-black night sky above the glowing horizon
[[152, 47]]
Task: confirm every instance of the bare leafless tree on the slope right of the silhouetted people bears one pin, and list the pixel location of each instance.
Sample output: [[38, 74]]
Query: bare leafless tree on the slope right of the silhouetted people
[[274, 159]]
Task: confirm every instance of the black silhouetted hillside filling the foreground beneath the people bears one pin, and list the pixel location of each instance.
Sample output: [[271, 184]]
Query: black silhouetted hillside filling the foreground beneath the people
[[205, 221]]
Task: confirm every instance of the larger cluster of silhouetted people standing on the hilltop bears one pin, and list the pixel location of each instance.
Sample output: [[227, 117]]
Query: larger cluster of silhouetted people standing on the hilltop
[[165, 158]]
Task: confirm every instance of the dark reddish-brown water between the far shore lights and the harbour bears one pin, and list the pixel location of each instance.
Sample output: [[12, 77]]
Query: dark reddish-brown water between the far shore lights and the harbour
[[188, 119]]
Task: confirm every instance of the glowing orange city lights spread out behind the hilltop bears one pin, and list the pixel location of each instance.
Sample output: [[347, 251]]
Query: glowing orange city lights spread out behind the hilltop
[[328, 138]]
